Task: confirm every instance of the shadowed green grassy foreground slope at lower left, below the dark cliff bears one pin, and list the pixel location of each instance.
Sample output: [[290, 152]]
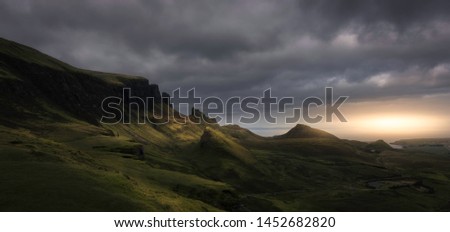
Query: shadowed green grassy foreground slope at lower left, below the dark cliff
[[72, 176]]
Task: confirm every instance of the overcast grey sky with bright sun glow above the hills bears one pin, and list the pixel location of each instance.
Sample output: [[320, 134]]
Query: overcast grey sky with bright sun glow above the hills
[[392, 58]]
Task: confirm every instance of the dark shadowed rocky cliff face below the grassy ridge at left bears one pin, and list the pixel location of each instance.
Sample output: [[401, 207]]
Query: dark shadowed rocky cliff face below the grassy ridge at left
[[72, 90]]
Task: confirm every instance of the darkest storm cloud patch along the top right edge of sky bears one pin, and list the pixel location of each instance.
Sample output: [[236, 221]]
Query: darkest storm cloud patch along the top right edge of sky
[[331, 15]]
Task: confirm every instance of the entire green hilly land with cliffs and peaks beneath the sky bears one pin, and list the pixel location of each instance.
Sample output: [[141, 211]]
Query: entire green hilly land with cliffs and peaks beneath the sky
[[55, 155]]
